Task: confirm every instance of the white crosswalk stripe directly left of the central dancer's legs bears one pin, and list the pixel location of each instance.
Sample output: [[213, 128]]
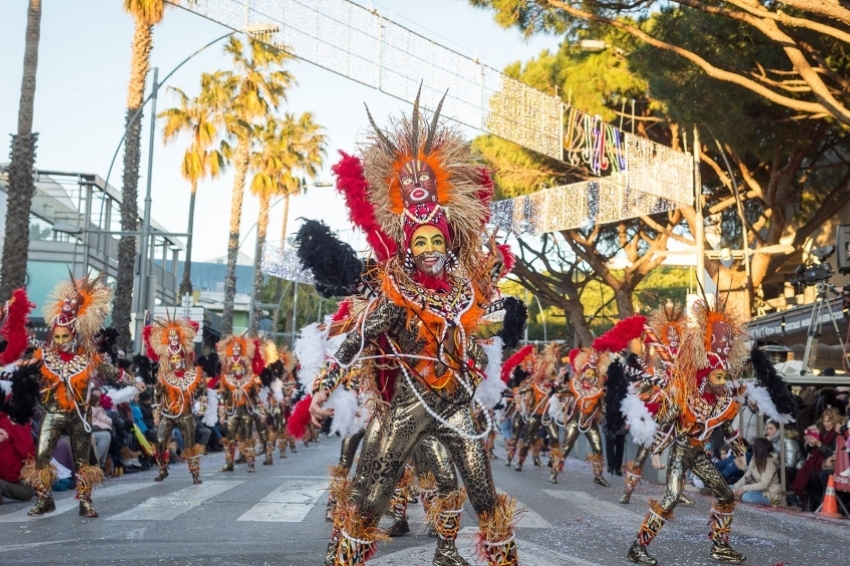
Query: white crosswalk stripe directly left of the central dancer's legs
[[289, 503]]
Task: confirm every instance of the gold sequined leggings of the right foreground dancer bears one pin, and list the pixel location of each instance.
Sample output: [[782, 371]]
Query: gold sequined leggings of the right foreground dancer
[[683, 457]]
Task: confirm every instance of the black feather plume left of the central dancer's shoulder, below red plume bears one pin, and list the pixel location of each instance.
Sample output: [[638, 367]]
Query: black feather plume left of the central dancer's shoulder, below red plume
[[336, 268]]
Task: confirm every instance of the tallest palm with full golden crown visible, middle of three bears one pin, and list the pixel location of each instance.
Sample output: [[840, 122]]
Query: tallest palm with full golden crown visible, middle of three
[[260, 86]]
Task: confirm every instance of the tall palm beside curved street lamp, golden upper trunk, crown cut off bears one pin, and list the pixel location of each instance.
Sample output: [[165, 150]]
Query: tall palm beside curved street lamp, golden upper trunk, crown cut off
[[146, 14]]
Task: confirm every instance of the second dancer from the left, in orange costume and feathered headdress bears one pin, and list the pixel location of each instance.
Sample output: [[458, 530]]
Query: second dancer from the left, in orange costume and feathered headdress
[[179, 384]]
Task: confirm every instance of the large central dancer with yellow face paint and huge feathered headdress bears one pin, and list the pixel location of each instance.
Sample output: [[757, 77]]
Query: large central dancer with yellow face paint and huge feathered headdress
[[434, 285]]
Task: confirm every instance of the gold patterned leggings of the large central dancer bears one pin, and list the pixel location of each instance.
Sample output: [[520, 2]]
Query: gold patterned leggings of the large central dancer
[[389, 442]]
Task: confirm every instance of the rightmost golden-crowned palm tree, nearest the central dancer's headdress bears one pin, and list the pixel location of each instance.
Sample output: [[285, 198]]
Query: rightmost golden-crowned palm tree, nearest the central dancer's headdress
[[287, 147]]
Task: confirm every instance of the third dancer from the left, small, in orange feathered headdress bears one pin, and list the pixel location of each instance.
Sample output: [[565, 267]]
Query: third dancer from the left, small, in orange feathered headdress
[[241, 364]]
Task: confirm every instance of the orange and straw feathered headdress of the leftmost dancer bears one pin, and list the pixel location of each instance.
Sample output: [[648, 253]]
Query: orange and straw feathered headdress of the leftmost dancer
[[80, 305]]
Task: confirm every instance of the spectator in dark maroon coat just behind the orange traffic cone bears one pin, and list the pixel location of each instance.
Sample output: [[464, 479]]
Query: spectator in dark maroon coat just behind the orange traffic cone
[[819, 446]]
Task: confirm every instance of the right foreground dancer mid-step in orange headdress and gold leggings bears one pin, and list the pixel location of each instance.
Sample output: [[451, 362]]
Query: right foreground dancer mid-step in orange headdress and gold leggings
[[699, 398]]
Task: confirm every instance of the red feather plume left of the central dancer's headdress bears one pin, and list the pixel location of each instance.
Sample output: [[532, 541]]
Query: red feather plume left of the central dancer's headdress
[[351, 182]]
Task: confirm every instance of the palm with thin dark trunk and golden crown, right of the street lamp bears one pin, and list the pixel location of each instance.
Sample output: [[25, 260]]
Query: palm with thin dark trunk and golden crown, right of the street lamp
[[198, 116]]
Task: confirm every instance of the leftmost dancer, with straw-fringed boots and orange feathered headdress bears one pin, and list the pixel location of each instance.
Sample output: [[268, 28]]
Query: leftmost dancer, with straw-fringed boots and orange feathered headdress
[[69, 361]]
